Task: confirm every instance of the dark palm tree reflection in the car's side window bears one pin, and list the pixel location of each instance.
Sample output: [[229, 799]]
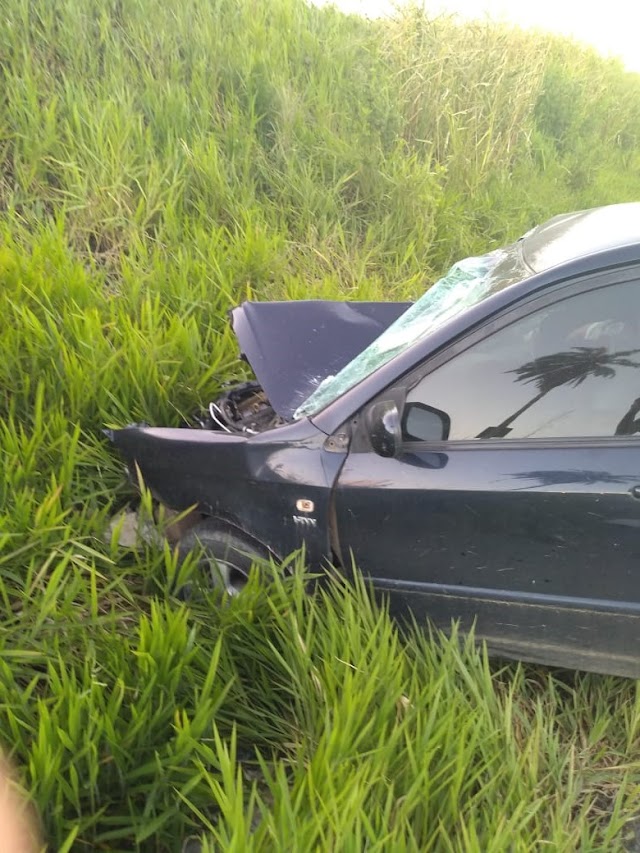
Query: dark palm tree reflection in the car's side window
[[562, 368]]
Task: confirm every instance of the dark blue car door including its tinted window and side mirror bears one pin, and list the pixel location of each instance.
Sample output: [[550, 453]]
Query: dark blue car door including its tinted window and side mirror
[[521, 513]]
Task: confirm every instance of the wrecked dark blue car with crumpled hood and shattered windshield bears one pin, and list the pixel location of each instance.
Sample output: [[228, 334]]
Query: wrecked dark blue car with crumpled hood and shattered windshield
[[475, 453]]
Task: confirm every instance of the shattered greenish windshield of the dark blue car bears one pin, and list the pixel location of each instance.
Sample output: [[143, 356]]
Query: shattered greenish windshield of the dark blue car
[[467, 283]]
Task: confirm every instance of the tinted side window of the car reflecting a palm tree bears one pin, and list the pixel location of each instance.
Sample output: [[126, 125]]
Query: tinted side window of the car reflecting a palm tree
[[571, 369]]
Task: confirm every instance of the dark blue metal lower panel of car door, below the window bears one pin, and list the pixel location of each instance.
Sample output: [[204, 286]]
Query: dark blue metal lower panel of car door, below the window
[[497, 526]]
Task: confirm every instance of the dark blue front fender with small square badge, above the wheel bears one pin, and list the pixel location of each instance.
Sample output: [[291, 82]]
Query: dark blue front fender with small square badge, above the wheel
[[254, 484]]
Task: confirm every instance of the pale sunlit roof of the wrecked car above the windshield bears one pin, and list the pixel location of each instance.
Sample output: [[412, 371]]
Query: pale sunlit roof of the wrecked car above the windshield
[[585, 232]]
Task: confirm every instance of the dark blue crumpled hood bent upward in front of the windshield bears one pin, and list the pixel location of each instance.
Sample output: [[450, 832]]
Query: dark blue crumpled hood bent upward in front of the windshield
[[293, 346]]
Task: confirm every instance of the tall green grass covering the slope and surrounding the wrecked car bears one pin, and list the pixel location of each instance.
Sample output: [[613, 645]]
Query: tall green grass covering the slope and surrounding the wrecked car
[[161, 161]]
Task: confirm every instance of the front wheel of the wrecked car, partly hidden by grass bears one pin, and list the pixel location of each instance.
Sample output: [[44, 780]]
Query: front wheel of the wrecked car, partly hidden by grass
[[226, 558]]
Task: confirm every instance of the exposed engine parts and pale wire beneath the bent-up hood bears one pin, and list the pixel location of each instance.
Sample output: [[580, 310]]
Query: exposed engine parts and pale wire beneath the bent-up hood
[[242, 409]]
